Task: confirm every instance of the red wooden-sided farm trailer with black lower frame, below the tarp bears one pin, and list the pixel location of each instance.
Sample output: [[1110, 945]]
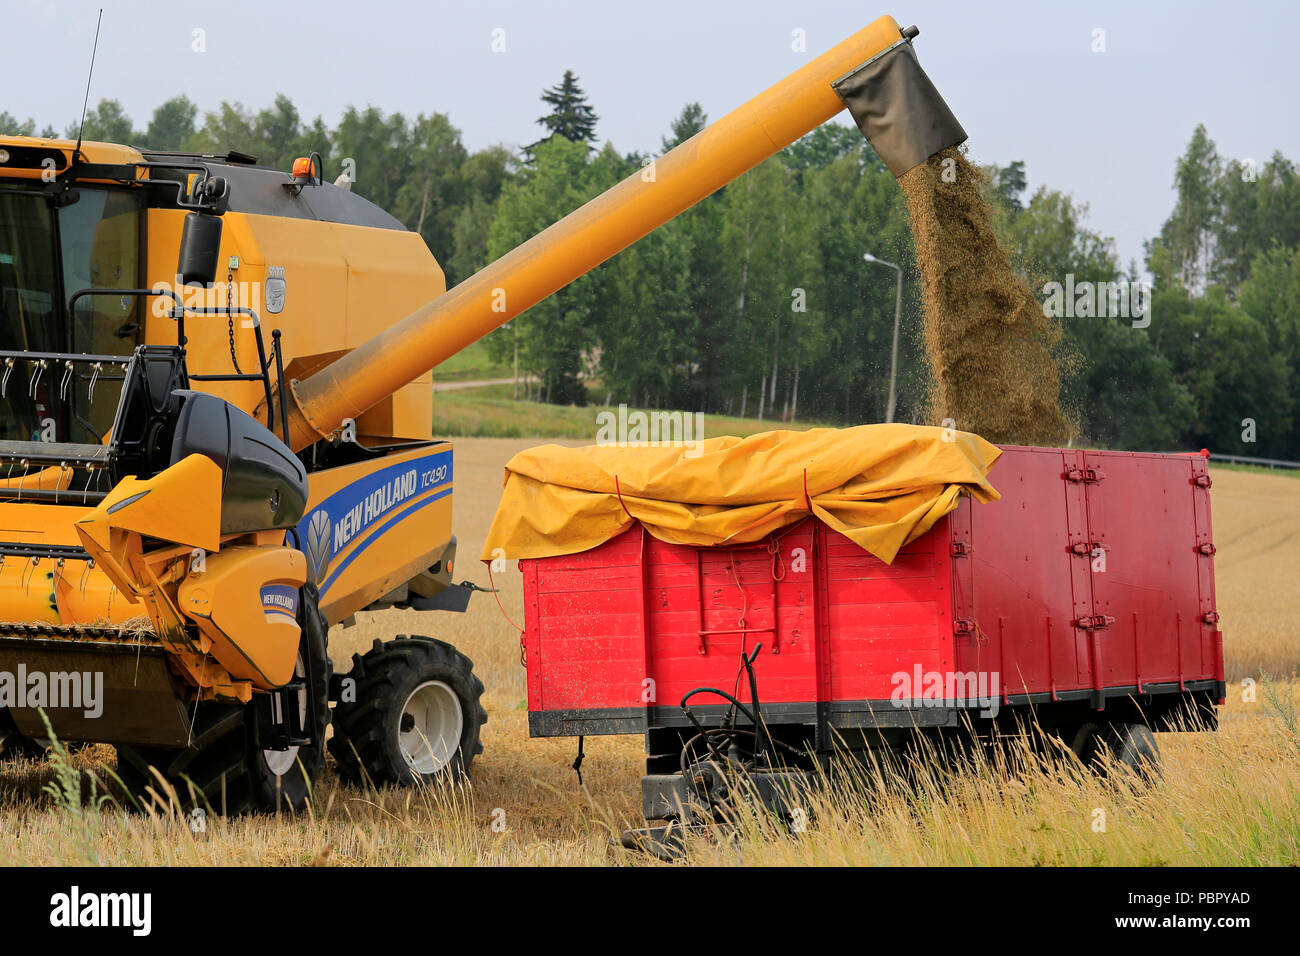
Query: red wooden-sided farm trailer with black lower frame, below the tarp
[[1086, 591]]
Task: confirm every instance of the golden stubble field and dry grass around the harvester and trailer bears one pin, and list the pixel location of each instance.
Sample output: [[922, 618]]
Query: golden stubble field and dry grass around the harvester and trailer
[[1228, 798]]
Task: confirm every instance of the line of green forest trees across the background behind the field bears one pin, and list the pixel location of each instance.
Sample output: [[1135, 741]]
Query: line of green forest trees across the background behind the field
[[759, 301]]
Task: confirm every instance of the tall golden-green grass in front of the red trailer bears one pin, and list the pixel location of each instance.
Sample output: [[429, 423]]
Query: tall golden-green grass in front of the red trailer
[[1227, 799]]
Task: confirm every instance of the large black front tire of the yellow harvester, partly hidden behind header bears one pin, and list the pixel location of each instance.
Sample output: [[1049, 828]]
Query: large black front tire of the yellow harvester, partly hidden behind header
[[223, 769]]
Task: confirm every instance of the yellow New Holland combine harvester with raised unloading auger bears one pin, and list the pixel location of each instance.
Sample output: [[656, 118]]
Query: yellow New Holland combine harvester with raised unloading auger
[[189, 504]]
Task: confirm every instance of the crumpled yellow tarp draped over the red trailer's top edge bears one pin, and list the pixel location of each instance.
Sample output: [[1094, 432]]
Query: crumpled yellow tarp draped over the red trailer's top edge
[[881, 486]]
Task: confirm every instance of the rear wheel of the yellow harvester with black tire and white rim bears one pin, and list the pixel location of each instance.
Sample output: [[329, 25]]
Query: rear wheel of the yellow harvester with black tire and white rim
[[411, 713]]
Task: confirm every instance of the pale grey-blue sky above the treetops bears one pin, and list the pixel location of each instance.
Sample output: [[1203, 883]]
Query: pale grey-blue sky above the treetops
[[1029, 81]]
